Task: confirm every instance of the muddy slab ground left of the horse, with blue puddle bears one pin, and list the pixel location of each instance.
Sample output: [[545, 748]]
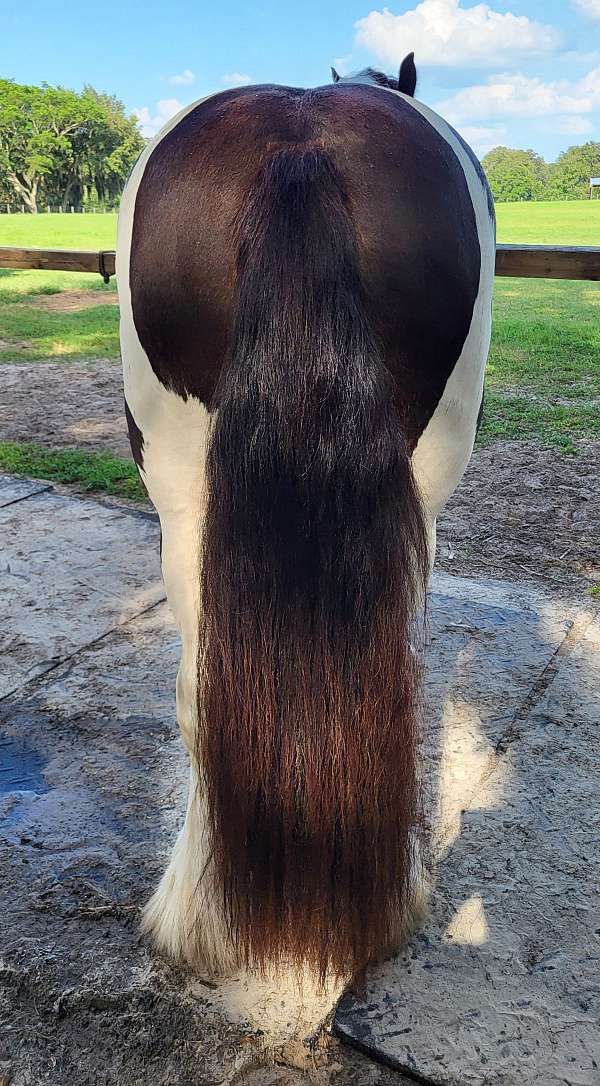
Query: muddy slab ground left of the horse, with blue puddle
[[93, 782]]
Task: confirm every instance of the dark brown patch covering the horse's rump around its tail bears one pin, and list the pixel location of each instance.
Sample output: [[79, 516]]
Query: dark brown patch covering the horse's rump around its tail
[[408, 198]]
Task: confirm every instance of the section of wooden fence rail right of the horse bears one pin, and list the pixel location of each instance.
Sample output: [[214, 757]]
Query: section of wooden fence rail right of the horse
[[548, 262]]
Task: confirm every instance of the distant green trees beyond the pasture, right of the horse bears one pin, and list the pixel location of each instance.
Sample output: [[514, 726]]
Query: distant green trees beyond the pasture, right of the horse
[[524, 175]]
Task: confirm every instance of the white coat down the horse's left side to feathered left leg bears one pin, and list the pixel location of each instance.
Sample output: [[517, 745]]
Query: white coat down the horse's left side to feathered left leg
[[176, 438]]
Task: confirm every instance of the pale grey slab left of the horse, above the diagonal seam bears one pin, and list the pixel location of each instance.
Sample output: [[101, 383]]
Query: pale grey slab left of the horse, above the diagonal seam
[[70, 572]]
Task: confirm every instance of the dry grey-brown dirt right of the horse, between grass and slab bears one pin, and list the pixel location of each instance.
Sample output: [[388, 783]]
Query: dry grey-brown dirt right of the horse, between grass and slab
[[527, 513]]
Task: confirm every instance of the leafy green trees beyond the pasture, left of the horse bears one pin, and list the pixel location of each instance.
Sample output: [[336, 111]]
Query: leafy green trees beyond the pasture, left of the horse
[[59, 144]]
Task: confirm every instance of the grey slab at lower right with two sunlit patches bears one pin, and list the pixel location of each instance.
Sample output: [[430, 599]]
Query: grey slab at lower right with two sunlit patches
[[504, 983]]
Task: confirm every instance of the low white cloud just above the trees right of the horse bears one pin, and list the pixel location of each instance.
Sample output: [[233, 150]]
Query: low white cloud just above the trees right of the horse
[[520, 96]]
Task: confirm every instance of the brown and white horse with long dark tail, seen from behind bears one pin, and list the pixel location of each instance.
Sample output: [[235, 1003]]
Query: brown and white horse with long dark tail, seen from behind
[[306, 293]]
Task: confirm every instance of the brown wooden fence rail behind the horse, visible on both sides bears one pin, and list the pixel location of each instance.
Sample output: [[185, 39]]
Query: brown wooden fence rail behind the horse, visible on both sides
[[528, 262]]
